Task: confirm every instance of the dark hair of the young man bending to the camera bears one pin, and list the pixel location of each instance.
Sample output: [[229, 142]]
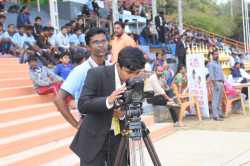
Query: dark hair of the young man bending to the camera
[[131, 58]]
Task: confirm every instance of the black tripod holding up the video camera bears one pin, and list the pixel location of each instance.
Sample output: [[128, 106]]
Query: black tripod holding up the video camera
[[136, 131]]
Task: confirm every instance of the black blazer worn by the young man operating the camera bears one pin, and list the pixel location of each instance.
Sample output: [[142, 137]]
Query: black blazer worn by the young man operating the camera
[[99, 84]]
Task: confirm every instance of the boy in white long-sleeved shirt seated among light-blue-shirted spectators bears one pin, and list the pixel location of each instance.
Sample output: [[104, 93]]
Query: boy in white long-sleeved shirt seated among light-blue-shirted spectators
[[62, 41]]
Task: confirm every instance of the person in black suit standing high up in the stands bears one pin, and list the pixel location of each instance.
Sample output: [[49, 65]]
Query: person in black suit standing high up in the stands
[[160, 26]]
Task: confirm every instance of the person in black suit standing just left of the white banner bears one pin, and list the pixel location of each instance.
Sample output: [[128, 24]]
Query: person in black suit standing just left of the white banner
[[181, 50]]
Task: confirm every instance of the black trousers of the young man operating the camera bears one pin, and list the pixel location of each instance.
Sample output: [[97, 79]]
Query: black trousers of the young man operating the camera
[[112, 148]]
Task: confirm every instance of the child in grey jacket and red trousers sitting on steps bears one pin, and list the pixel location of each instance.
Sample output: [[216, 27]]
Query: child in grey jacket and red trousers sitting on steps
[[39, 75]]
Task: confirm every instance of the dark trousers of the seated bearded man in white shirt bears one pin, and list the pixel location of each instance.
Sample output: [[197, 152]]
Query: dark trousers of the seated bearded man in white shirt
[[160, 100]]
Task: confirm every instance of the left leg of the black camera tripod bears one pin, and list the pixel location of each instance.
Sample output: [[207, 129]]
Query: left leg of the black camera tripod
[[121, 151]]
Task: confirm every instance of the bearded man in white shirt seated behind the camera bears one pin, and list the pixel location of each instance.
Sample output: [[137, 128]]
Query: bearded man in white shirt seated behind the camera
[[157, 83]]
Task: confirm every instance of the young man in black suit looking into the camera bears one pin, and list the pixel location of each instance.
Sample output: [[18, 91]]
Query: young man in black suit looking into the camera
[[103, 85]]
